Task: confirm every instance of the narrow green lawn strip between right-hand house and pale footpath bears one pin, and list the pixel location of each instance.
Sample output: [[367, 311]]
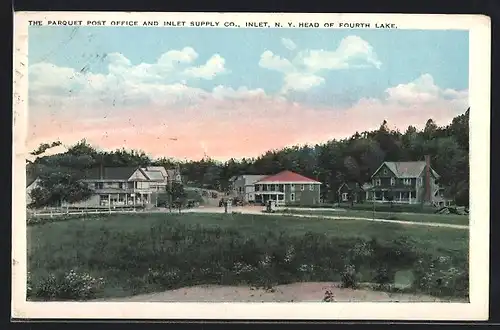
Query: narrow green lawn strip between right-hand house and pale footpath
[[422, 217]]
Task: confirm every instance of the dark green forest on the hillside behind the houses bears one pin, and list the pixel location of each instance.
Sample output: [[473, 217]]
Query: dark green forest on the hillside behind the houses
[[352, 159]]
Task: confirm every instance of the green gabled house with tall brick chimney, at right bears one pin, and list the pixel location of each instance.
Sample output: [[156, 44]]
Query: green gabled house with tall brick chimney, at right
[[406, 182]]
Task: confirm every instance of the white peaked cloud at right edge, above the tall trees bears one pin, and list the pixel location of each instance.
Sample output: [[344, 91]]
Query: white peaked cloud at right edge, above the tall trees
[[423, 90]]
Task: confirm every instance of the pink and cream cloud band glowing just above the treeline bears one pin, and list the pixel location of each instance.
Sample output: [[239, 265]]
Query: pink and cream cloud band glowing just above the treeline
[[225, 129]]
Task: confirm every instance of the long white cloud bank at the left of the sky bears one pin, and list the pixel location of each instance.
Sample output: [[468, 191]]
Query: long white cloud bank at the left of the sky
[[164, 82]]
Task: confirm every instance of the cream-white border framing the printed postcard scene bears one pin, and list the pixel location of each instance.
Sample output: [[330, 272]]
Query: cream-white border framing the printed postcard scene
[[479, 94]]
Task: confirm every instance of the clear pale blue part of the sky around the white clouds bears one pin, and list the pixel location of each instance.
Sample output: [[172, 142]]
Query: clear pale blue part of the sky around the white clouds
[[405, 54]]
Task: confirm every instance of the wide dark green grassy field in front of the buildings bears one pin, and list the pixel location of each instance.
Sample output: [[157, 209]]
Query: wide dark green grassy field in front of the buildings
[[139, 253]]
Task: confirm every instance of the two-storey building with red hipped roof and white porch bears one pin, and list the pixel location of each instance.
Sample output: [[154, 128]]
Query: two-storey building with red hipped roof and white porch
[[287, 187]]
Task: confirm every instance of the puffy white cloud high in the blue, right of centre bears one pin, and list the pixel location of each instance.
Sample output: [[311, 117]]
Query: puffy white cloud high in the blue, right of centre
[[303, 72]]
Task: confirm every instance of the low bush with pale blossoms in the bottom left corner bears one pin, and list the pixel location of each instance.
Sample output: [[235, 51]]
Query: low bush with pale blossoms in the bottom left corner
[[65, 286]]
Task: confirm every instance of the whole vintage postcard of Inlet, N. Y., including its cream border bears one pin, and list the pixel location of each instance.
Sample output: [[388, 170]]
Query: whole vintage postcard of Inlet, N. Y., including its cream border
[[250, 166]]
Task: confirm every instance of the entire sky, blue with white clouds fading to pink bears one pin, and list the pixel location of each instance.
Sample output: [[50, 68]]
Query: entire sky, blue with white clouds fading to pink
[[187, 93]]
